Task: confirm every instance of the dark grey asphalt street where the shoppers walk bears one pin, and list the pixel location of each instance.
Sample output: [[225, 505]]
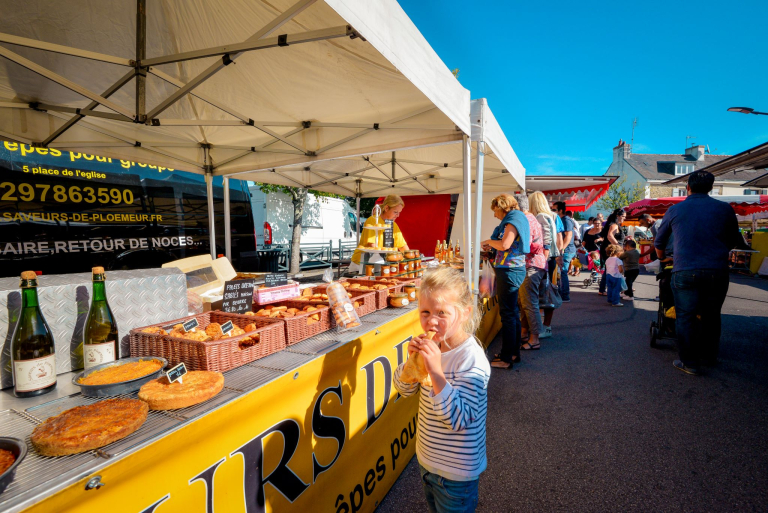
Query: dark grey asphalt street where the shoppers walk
[[599, 421]]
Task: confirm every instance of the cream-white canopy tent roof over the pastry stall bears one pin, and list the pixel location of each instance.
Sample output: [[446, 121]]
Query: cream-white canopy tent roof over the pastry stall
[[288, 92]]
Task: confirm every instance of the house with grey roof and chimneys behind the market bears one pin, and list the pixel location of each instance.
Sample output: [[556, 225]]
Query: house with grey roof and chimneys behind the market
[[651, 170]]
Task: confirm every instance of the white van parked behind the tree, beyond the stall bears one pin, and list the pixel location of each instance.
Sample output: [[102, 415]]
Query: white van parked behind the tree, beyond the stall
[[324, 218]]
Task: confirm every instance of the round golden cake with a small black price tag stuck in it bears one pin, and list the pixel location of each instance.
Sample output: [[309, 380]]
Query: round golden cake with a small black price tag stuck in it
[[195, 388]]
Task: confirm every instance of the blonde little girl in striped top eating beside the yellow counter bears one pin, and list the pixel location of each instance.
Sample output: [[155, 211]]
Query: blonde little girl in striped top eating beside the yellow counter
[[450, 444]]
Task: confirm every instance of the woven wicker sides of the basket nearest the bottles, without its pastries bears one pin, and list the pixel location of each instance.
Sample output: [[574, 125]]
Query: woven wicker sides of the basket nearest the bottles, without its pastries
[[219, 355]]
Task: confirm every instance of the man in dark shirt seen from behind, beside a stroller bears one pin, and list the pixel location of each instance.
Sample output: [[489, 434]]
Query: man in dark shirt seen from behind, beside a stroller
[[704, 230]]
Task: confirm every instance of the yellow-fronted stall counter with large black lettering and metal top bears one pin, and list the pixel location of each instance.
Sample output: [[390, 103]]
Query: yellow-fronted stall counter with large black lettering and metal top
[[316, 427]]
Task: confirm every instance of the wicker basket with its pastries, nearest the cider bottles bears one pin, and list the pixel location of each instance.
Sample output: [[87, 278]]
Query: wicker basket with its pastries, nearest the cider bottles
[[207, 347]]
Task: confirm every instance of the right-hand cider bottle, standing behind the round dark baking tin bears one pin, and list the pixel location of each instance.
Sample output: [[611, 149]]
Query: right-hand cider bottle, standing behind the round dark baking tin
[[100, 340]]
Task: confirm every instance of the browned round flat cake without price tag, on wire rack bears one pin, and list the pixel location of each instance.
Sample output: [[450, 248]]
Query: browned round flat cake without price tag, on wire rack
[[89, 427]]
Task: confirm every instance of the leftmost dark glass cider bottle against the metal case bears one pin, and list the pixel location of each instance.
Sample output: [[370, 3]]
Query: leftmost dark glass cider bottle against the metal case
[[33, 351]]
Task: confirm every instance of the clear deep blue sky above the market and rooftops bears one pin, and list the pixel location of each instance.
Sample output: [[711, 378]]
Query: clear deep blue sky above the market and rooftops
[[566, 79]]
